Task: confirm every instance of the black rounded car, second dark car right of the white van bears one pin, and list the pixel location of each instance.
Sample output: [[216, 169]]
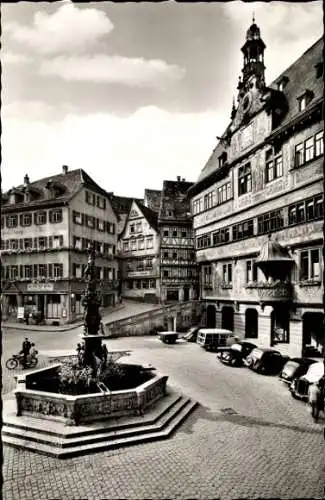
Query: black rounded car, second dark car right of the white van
[[265, 360]]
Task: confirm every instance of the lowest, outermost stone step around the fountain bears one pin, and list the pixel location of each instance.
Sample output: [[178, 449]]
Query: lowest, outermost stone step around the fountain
[[84, 448]]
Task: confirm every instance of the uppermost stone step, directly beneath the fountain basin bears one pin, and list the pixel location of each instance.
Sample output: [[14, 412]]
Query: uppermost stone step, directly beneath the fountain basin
[[57, 428]]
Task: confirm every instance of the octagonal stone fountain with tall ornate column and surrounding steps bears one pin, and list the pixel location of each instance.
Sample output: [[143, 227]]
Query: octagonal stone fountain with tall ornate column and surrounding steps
[[97, 420]]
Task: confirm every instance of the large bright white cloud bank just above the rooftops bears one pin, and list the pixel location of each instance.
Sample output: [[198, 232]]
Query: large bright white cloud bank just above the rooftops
[[121, 154]]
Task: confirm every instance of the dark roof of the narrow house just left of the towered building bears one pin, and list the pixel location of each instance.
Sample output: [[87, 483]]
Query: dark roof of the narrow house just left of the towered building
[[175, 201]]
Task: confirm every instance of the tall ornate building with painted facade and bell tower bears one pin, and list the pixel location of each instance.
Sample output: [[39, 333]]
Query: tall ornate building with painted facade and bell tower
[[258, 207]]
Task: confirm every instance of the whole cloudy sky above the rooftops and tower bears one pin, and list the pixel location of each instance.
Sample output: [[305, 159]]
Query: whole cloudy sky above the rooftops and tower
[[132, 93]]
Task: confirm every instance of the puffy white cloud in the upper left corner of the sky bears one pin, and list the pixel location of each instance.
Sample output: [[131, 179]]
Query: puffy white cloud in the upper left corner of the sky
[[68, 29]]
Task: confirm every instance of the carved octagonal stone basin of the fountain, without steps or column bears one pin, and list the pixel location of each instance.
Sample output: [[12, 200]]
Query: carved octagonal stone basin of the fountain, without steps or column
[[37, 395]]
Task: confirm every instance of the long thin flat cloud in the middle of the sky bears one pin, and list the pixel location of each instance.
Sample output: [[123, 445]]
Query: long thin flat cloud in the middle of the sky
[[113, 69]]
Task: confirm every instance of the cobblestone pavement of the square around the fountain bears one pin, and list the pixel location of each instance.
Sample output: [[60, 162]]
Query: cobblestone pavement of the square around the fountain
[[248, 439]]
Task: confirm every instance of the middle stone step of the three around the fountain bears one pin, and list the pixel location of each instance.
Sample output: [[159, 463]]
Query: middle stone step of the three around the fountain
[[100, 435]]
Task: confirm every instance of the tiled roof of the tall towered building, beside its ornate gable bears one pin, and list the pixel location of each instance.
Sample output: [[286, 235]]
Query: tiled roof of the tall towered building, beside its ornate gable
[[301, 77]]
